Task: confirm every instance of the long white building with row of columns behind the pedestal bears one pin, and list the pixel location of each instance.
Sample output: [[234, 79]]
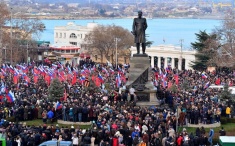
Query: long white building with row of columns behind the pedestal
[[165, 55]]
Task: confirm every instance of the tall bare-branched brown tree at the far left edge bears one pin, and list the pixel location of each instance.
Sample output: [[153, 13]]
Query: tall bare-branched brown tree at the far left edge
[[22, 28]]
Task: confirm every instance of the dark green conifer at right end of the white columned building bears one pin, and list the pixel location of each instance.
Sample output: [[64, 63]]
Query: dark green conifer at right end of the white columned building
[[206, 47]]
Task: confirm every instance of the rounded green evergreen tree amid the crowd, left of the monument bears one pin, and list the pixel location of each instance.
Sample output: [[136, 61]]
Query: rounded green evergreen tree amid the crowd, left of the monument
[[56, 90]]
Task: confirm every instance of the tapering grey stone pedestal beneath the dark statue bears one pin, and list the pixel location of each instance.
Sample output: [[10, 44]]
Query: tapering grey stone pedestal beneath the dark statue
[[140, 80]]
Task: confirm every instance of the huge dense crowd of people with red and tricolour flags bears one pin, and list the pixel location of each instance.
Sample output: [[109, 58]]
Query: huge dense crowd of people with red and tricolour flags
[[116, 119]]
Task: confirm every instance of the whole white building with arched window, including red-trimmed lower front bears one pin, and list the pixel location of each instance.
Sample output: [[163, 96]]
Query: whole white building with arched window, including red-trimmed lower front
[[68, 42]]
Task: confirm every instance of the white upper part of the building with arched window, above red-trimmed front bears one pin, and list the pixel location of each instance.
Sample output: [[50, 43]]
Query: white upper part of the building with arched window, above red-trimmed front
[[72, 33]]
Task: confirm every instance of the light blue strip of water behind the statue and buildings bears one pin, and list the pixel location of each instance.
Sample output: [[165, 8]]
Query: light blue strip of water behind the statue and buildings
[[175, 32]]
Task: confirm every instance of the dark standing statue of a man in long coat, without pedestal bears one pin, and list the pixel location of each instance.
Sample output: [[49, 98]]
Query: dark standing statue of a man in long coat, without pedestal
[[138, 30]]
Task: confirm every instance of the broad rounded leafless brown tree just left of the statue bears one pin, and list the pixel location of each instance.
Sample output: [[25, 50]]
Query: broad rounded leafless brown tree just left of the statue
[[103, 40]]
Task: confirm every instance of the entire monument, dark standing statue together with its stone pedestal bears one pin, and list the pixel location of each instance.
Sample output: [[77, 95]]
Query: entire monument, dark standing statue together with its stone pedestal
[[139, 71]]
